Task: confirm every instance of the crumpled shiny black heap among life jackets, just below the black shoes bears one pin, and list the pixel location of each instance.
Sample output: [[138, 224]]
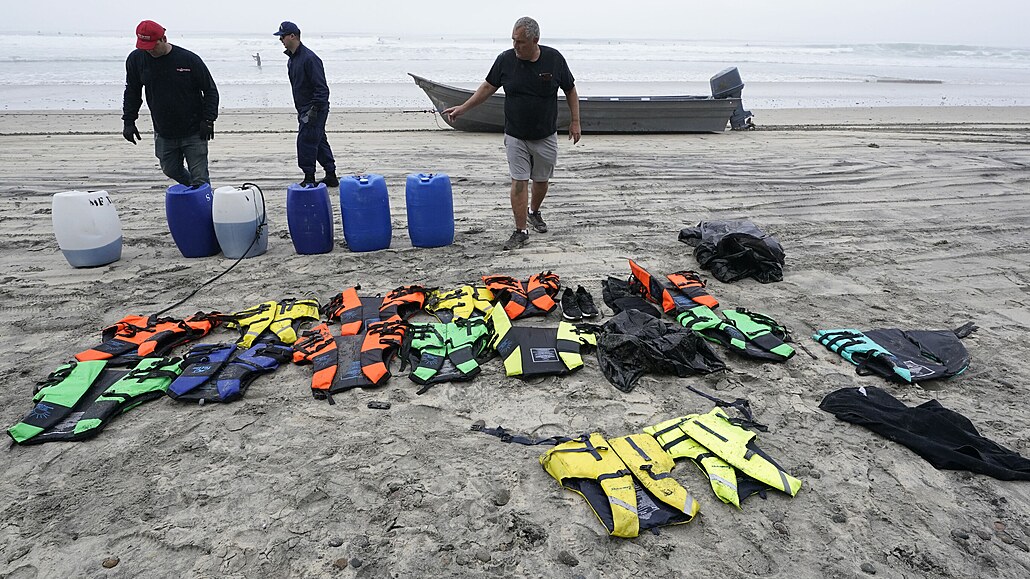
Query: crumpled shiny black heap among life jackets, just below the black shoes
[[633, 344]]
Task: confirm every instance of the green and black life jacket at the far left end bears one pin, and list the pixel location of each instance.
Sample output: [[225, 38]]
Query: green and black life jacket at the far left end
[[80, 399]]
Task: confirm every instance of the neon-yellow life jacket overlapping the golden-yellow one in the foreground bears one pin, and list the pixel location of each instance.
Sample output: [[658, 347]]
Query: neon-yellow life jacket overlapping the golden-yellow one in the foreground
[[728, 454]]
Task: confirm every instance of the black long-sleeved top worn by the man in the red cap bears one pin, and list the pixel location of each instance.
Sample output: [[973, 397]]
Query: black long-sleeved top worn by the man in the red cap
[[181, 92]]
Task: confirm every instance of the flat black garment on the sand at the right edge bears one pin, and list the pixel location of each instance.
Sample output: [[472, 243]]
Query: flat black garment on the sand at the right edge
[[945, 438]]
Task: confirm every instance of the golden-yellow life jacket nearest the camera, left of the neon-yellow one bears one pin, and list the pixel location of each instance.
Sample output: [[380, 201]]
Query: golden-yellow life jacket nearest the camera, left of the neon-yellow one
[[626, 481]]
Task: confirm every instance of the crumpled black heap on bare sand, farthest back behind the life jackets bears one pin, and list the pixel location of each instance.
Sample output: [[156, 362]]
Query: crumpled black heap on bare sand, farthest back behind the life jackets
[[735, 250]]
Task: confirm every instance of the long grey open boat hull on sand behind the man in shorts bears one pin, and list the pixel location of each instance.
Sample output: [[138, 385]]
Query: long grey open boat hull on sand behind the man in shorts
[[680, 114]]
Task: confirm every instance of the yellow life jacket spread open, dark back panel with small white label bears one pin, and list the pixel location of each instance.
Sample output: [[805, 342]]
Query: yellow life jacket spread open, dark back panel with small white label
[[538, 352]]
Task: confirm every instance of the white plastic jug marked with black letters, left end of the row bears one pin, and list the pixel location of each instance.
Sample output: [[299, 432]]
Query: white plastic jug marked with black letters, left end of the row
[[88, 229]]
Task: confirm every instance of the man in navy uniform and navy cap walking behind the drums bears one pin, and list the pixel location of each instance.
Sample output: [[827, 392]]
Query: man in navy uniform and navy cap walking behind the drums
[[307, 76]]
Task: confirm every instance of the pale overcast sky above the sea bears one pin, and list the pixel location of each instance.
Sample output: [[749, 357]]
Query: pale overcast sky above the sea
[[1000, 23]]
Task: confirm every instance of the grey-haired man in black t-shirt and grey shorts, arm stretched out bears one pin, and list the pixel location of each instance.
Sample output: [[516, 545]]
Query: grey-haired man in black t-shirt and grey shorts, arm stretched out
[[531, 76]]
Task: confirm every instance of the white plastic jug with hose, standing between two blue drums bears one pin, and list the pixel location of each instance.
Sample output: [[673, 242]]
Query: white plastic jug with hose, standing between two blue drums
[[237, 213]]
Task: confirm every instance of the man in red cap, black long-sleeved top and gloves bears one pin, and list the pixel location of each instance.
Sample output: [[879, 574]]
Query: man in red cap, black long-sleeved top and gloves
[[183, 99]]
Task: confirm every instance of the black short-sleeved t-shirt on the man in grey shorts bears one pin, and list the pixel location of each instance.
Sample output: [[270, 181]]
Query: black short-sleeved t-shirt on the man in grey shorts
[[532, 92]]
